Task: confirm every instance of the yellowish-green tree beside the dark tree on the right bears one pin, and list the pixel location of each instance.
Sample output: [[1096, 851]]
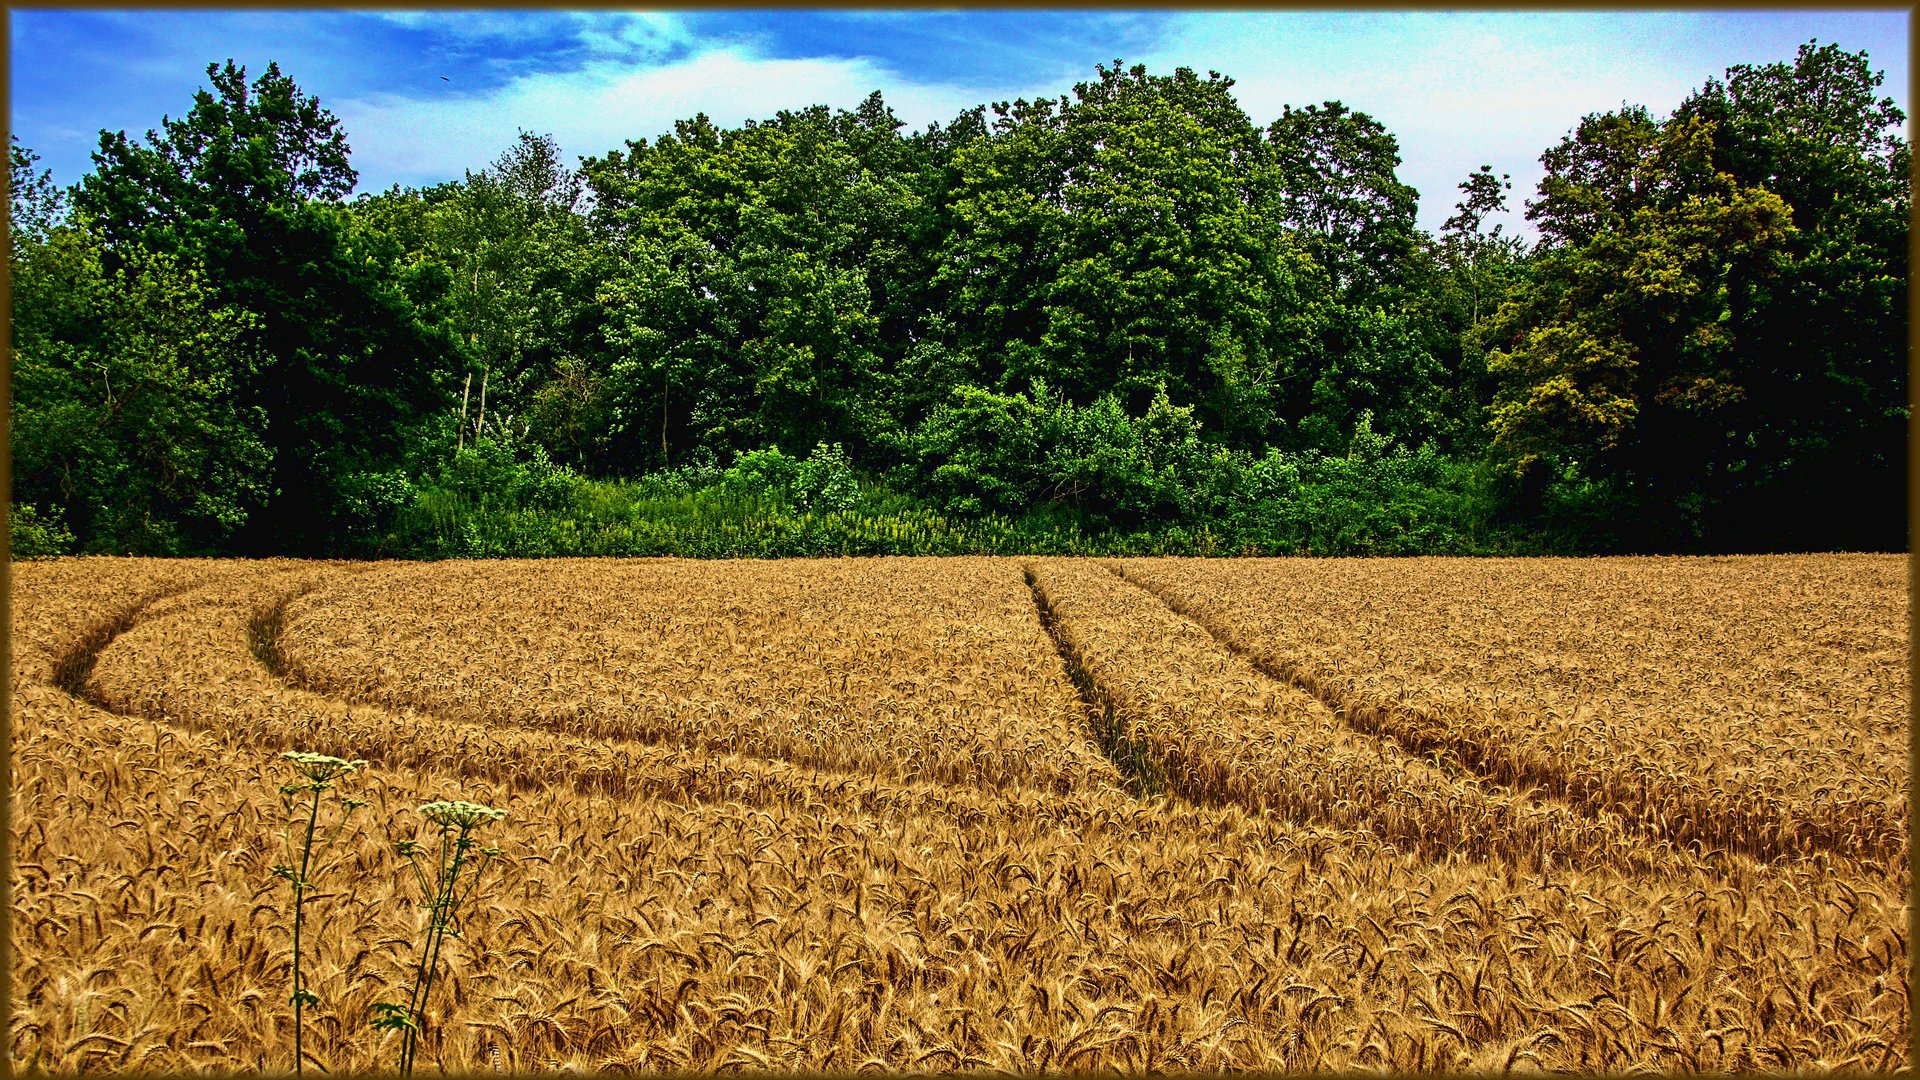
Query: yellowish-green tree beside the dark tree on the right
[[1621, 362]]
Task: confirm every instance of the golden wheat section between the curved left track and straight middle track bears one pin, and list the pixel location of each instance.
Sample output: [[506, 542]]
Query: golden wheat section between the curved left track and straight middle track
[[928, 670]]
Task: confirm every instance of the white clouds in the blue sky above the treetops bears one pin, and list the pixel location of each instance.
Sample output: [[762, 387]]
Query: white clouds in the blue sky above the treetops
[[1456, 89]]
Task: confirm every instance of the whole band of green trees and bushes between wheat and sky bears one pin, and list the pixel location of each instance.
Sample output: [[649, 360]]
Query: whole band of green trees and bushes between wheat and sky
[[1124, 320]]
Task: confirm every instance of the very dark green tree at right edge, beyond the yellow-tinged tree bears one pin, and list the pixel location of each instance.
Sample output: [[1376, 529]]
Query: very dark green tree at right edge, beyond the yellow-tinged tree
[[1823, 355]]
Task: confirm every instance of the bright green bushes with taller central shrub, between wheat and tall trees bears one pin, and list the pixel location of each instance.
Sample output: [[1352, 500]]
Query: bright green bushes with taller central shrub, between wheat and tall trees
[[1147, 487]]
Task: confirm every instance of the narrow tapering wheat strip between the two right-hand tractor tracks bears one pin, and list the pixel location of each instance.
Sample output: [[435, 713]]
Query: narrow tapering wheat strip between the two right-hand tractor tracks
[[1222, 731]]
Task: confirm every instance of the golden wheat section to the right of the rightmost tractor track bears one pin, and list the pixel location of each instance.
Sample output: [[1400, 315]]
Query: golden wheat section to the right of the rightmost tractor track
[[1756, 704]]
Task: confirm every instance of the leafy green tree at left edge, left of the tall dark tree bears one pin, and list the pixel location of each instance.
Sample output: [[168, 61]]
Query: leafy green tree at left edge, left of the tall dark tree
[[126, 418]]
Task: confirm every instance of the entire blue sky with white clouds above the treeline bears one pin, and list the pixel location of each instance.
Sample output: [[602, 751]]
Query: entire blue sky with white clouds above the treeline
[[429, 95]]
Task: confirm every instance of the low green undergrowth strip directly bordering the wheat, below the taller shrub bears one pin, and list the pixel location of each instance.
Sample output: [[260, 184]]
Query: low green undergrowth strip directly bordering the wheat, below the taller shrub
[[773, 506]]
